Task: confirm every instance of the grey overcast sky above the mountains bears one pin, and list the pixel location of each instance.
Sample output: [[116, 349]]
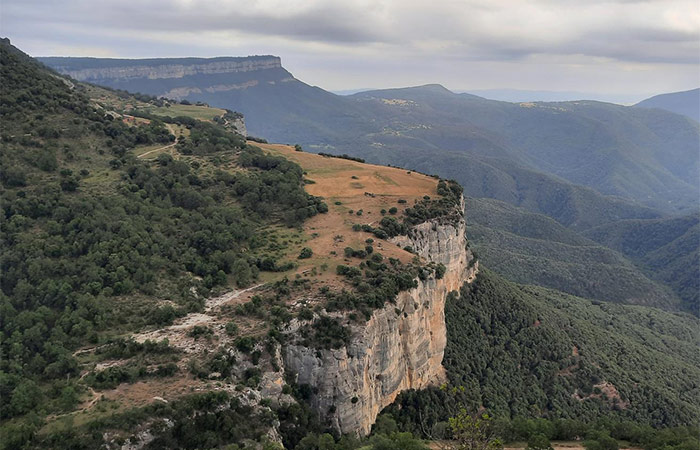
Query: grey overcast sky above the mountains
[[631, 47]]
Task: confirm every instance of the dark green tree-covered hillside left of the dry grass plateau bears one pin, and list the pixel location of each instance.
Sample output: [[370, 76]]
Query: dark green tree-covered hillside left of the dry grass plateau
[[98, 242]]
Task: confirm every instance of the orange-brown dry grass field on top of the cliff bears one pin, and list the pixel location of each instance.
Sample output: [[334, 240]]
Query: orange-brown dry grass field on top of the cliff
[[349, 187]]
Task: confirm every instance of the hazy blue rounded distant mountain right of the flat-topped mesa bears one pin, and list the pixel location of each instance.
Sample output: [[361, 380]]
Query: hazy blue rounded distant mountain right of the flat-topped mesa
[[649, 156]]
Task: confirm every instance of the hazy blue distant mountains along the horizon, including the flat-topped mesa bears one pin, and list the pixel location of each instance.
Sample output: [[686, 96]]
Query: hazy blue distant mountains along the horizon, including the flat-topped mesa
[[646, 156]]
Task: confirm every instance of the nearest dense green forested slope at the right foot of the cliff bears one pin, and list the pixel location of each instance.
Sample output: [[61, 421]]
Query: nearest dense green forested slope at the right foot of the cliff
[[523, 351]]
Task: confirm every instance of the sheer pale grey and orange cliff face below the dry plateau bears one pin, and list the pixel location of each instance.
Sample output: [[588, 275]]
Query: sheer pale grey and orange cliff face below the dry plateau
[[400, 347]]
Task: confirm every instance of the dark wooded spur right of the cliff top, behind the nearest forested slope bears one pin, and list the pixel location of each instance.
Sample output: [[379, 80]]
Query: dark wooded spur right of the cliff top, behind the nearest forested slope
[[534, 249]]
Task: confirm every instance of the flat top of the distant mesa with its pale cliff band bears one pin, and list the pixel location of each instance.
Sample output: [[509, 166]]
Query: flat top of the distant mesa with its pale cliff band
[[120, 70]]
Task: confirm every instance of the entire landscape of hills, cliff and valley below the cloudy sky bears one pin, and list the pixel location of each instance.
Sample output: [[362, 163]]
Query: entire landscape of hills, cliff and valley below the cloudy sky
[[171, 279]]
